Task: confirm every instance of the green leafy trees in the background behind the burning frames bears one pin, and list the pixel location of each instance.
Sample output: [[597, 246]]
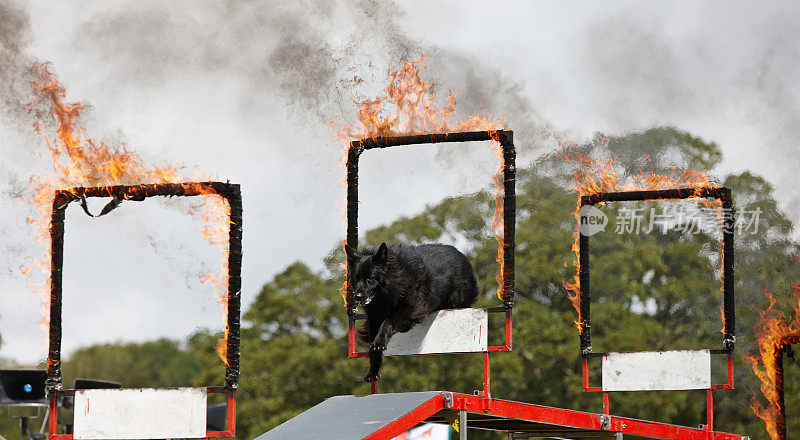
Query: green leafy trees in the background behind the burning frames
[[653, 291]]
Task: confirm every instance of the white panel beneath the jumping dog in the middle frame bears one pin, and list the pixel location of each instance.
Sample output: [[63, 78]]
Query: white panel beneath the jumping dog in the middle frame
[[447, 331]]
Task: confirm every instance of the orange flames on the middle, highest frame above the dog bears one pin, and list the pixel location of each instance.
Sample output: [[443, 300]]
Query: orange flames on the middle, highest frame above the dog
[[409, 106]]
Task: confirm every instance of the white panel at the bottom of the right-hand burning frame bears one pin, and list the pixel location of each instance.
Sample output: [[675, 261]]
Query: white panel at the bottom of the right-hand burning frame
[[657, 371]]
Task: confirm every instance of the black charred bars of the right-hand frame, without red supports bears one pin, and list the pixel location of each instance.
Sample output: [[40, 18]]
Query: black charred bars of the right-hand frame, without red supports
[[728, 221]]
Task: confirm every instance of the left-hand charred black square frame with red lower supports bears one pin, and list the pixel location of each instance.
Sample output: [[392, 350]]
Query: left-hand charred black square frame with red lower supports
[[228, 191]]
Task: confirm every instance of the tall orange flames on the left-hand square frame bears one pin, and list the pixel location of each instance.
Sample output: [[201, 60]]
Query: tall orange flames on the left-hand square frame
[[80, 161]]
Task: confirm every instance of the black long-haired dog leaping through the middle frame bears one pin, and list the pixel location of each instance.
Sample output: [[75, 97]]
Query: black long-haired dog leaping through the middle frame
[[400, 285]]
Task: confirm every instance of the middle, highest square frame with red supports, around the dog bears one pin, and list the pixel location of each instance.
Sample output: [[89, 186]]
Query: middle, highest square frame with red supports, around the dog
[[506, 140]]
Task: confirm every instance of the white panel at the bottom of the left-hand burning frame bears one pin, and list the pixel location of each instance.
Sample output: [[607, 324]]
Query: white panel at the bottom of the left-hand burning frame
[[140, 413]]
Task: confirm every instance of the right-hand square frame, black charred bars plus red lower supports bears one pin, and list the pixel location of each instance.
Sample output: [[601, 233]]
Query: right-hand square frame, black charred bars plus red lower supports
[[728, 309]]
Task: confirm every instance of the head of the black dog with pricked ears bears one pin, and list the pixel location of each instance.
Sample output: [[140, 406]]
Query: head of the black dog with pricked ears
[[368, 271]]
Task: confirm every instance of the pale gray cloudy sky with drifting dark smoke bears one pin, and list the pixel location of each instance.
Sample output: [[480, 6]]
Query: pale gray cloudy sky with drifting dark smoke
[[241, 90]]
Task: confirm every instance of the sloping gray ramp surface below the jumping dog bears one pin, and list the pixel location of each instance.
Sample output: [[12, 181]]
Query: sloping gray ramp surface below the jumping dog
[[348, 417]]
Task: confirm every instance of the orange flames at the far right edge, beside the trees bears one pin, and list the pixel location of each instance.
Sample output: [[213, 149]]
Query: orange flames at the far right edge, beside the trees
[[774, 333]]
